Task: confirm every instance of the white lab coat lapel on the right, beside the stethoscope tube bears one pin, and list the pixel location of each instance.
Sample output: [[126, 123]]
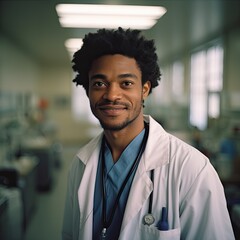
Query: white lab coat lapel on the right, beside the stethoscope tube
[[155, 155]]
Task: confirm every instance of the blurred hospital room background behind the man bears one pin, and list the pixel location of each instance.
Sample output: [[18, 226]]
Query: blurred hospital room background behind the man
[[45, 118]]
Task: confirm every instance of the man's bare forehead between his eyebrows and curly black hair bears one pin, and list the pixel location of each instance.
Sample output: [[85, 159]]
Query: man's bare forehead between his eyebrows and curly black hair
[[116, 62]]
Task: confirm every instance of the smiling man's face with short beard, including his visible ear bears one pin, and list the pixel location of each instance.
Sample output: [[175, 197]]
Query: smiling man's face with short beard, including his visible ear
[[116, 92]]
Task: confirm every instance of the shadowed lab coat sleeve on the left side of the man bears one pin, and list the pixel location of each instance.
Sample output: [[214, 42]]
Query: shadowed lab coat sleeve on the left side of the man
[[70, 228]]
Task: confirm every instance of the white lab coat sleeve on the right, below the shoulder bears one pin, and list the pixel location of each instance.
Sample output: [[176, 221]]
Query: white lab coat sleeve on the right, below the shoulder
[[203, 212]]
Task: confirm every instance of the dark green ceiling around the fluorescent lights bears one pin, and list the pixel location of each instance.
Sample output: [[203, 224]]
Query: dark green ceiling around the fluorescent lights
[[33, 25]]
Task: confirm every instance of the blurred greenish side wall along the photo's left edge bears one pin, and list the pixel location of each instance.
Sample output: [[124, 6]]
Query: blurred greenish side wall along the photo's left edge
[[18, 78]]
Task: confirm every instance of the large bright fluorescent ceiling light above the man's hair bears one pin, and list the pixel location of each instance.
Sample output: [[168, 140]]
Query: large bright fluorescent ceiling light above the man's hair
[[108, 16]]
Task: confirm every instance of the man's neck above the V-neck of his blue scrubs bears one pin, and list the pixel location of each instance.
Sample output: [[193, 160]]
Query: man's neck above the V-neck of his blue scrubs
[[118, 140]]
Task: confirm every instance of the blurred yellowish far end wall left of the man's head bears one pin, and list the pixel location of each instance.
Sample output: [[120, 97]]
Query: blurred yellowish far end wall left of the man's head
[[56, 85]]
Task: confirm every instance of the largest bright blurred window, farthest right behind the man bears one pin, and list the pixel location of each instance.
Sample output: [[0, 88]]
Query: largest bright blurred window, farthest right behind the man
[[206, 85]]
